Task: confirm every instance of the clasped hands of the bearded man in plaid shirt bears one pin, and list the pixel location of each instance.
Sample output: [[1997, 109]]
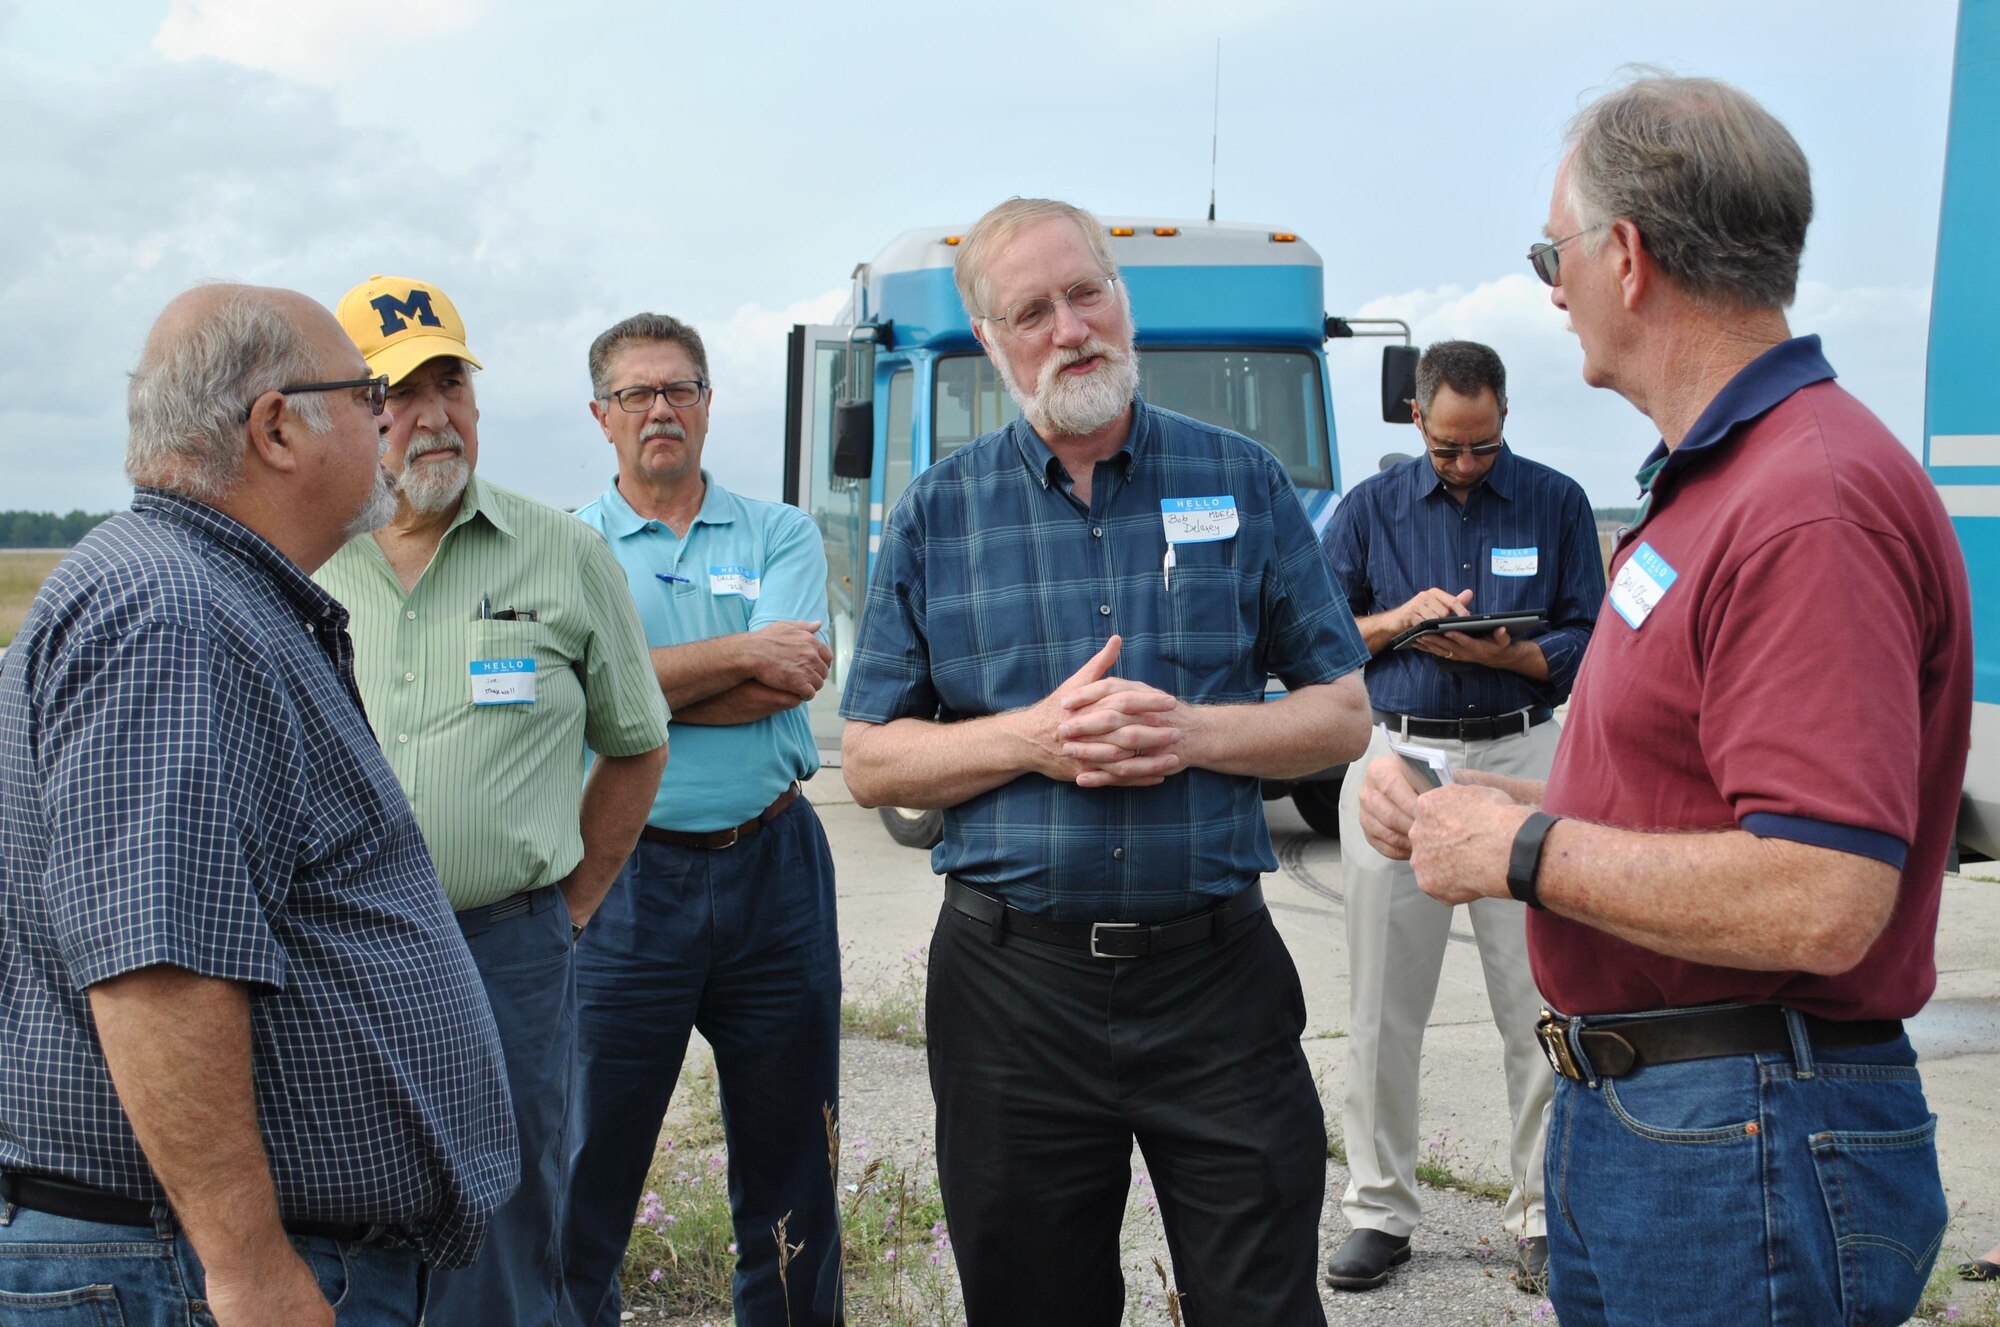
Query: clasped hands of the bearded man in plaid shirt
[[1111, 732]]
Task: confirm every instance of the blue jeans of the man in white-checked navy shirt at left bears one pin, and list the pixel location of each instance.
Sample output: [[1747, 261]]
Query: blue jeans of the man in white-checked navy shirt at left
[[57, 1272]]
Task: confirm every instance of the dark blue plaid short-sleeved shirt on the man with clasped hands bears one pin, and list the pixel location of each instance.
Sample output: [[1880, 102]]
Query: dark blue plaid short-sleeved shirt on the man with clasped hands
[[995, 585]]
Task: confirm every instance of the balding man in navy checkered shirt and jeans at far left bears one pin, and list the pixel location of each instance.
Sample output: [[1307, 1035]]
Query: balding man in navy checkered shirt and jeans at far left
[[247, 1068]]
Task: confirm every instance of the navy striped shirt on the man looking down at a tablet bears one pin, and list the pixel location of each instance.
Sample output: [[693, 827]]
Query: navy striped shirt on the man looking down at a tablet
[[1525, 541]]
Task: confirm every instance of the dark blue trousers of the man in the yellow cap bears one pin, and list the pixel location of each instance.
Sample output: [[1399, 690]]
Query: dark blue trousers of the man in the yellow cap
[[525, 964]]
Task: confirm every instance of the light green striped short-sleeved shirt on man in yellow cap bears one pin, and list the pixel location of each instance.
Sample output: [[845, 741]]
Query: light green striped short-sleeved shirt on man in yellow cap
[[497, 788]]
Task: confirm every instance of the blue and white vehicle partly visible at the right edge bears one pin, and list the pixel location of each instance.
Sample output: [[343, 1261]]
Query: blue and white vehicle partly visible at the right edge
[[1963, 405]]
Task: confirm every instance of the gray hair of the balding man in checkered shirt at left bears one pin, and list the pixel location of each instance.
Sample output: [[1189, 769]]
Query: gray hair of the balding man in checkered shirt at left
[[193, 391]]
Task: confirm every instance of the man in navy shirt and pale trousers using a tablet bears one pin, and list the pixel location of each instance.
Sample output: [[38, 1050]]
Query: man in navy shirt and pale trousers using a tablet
[[1469, 527]]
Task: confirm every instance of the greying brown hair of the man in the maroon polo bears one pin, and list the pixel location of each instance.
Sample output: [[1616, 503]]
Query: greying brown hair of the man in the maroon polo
[[1719, 189]]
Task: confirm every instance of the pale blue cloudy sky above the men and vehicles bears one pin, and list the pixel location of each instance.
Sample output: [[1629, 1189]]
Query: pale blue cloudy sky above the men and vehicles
[[555, 167]]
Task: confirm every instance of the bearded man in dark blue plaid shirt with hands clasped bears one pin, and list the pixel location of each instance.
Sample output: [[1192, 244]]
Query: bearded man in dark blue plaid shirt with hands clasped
[[1065, 647]]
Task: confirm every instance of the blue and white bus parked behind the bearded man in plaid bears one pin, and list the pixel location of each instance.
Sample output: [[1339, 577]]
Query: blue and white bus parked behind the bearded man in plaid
[[1231, 329]]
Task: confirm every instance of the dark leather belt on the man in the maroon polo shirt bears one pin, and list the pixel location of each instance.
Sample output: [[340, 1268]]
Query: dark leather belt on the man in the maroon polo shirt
[[1615, 1048]]
